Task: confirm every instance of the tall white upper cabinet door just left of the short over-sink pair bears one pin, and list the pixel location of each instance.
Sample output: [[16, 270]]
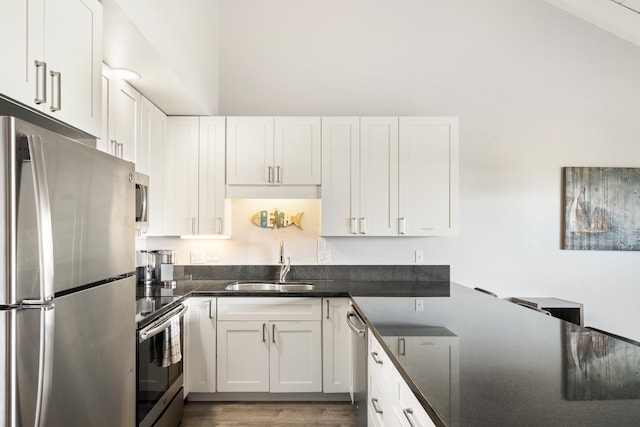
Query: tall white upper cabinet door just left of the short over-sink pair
[[214, 210]]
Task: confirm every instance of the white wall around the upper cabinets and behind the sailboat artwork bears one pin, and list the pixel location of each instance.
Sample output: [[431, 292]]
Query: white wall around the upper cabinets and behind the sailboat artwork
[[535, 88]]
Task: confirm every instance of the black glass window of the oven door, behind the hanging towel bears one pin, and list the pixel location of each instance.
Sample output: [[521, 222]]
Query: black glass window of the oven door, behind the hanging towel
[[154, 380]]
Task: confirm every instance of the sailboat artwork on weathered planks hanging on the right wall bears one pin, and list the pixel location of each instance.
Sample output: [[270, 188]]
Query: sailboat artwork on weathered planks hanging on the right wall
[[601, 208]]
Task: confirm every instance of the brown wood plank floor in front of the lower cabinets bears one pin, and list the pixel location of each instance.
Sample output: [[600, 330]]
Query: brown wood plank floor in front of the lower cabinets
[[268, 414]]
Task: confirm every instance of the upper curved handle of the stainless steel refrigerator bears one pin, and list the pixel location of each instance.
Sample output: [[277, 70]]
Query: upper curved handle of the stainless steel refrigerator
[[43, 213]]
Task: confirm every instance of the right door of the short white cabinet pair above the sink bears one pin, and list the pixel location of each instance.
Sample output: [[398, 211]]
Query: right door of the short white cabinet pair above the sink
[[297, 151]]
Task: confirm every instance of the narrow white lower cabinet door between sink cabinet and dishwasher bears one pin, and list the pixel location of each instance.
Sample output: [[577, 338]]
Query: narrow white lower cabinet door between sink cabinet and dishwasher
[[336, 346]]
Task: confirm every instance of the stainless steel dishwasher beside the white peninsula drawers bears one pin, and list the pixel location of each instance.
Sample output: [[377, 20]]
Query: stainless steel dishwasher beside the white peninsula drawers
[[359, 363]]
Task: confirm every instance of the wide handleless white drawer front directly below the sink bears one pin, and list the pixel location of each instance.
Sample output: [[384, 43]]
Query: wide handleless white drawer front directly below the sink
[[269, 308]]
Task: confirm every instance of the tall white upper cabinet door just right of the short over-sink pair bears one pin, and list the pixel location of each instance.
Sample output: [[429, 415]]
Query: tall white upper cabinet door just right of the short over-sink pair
[[340, 186]]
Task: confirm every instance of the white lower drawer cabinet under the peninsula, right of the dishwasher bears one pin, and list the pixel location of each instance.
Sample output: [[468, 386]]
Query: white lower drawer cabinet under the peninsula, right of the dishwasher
[[390, 401]]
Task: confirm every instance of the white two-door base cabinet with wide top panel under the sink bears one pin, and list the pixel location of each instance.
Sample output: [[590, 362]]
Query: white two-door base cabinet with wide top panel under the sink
[[269, 345]]
